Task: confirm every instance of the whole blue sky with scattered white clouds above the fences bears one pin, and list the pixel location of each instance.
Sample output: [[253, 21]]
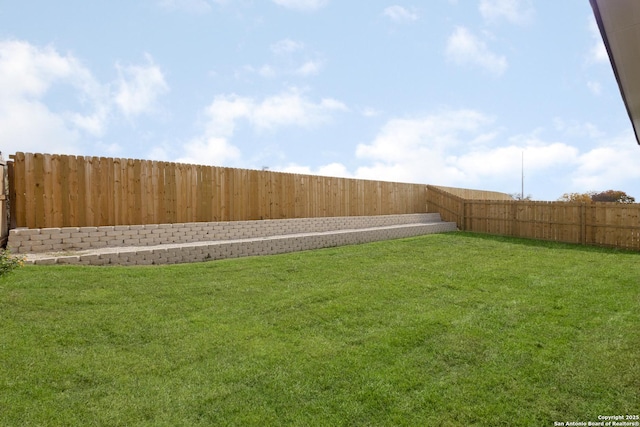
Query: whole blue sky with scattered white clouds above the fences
[[445, 92]]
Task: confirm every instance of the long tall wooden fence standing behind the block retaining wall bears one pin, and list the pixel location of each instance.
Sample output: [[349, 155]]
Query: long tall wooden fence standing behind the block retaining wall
[[70, 191]]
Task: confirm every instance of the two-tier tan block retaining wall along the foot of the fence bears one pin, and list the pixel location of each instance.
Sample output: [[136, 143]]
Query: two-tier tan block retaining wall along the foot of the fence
[[197, 242]]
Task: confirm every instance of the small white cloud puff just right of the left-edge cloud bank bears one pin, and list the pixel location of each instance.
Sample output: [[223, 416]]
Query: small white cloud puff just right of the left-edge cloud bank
[[139, 87]]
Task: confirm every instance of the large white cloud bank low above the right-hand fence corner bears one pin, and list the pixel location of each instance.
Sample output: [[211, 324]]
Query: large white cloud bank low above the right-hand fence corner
[[466, 148]]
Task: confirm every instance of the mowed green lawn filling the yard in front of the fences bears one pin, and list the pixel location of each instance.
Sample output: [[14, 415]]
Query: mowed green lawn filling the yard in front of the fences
[[450, 329]]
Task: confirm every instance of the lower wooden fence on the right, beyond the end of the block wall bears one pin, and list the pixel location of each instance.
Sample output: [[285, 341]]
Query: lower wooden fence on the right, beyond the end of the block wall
[[598, 224]]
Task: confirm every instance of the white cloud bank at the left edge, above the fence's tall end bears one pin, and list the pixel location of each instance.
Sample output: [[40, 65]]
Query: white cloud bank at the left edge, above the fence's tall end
[[50, 102]]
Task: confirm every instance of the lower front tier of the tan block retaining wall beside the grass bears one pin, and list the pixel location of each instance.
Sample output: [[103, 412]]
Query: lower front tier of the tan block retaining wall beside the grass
[[198, 251]]
